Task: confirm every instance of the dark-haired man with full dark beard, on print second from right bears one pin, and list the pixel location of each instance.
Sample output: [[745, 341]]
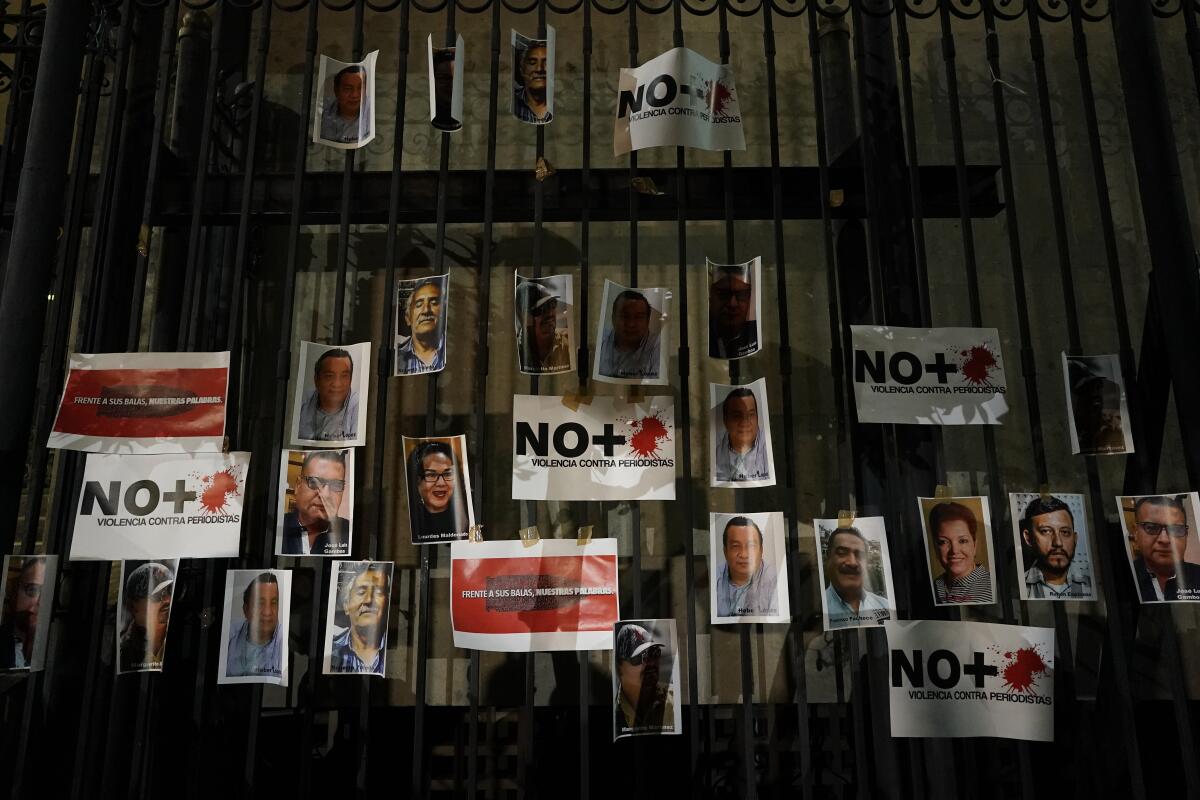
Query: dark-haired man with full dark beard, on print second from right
[[1048, 531]]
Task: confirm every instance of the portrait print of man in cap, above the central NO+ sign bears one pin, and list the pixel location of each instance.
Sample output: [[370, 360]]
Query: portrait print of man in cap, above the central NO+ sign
[[545, 324]]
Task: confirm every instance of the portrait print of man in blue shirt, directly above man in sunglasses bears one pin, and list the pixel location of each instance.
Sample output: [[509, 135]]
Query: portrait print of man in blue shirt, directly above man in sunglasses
[[329, 395]]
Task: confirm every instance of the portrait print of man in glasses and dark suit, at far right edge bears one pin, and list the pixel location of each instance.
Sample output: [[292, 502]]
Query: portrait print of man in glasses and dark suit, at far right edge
[[1165, 552]]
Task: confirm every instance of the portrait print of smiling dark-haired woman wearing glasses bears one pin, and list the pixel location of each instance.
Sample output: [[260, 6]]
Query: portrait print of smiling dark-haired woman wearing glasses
[[440, 506]]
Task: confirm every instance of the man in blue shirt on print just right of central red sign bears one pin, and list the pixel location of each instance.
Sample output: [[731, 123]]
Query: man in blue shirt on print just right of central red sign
[[746, 586]]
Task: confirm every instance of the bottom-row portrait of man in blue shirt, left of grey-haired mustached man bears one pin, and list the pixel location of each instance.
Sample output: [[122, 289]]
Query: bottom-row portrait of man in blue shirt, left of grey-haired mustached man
[[255, 628]]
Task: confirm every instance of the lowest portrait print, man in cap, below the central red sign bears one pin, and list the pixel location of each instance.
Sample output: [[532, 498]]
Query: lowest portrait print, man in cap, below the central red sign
[[644, 705]]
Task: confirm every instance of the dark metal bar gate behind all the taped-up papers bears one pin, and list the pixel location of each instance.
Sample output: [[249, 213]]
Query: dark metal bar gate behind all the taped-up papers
[[1028, 165]]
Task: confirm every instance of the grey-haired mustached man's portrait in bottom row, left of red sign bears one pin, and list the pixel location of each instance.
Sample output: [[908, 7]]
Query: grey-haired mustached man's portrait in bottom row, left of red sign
[[361, 648]]
